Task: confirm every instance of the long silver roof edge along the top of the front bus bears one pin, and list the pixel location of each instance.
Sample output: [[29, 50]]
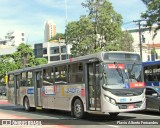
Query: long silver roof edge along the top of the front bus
[[91, 57]]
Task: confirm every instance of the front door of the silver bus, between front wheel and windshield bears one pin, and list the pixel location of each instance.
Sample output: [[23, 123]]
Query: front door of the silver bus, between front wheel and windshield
[[93, 82]]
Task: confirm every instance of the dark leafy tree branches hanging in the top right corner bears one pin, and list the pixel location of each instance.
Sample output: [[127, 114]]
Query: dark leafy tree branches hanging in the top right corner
[[152, 13]]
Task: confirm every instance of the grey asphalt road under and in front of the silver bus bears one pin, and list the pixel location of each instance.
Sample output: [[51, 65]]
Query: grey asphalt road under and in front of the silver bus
[[55, 117]]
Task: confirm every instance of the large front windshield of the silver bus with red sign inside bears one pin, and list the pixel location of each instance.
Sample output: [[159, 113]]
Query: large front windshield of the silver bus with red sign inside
[[117, 75]]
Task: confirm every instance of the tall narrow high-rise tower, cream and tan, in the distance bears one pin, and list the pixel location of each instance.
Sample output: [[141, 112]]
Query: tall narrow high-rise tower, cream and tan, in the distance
[[49, 30]]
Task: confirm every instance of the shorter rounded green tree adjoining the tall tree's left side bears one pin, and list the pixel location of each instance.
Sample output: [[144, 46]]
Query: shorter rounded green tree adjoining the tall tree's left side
[[80, 35]]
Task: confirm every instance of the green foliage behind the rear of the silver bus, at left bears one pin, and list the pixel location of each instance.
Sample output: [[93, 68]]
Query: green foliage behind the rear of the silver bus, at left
[[22, 58]]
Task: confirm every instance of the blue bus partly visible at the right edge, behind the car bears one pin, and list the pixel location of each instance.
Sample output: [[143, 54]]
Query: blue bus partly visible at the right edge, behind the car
[[151, 71]]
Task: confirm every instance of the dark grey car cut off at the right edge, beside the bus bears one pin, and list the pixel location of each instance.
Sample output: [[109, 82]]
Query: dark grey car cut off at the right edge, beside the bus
[[153, 98]]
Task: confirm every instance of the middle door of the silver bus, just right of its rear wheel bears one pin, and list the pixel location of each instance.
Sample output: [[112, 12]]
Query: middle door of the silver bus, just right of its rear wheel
[[37, 88]]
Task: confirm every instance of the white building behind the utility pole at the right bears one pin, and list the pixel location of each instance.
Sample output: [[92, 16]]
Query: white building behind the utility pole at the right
[[148, 43]]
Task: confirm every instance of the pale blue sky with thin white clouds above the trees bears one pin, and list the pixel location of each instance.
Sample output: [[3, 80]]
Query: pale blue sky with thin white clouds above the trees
[[30, 15]]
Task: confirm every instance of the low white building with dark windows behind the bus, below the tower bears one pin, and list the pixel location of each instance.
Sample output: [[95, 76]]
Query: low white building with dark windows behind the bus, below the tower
[[52, 51]]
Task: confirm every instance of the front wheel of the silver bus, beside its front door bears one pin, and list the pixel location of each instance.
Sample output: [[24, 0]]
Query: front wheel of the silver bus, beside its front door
[[78, 109]]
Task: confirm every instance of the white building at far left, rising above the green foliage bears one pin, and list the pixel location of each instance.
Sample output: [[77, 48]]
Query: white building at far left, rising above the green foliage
[[14, 38]]
